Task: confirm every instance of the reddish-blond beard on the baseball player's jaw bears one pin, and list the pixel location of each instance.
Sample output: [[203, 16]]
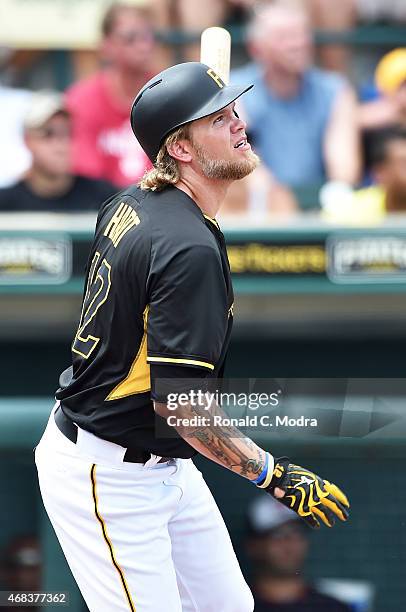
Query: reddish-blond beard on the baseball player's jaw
[[226, 170]]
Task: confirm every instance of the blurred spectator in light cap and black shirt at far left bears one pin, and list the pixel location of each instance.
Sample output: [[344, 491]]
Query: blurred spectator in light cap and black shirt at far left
[[49, 184]]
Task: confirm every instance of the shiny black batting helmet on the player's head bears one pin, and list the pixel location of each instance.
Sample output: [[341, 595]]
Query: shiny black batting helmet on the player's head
[[177, 95]]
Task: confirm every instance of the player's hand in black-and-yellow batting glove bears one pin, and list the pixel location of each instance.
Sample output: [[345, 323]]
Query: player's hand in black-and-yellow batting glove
[[307, 494]]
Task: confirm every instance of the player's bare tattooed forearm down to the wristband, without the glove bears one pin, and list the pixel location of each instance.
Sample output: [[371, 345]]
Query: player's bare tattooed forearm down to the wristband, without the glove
[[225, 445]]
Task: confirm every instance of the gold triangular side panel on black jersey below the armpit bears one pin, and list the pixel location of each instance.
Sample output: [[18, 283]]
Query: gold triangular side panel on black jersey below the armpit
[[138, 380]]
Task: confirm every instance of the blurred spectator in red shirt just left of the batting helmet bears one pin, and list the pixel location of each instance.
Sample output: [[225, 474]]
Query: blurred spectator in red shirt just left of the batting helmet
[[104, 145]]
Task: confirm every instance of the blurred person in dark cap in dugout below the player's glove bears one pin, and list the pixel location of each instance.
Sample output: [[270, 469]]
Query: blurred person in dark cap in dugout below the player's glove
[[277, 545]]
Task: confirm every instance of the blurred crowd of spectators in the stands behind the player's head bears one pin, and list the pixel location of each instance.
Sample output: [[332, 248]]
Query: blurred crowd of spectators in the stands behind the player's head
[[317, 128]]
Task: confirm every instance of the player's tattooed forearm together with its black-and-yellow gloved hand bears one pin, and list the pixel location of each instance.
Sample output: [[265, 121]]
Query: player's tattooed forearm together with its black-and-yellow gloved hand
[[297, 488]]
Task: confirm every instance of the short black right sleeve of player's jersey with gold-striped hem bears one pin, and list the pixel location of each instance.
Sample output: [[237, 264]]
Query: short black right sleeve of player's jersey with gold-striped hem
[[187, 317]]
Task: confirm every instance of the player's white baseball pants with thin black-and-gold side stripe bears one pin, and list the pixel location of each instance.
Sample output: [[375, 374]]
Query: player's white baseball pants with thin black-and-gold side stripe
[[144, 538]]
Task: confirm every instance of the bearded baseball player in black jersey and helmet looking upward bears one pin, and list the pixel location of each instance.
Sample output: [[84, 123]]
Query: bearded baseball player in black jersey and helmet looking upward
[[134, 517]]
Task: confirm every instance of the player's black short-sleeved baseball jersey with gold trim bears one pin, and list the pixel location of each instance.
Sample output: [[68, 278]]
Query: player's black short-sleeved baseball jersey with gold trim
[[158, 297]]
